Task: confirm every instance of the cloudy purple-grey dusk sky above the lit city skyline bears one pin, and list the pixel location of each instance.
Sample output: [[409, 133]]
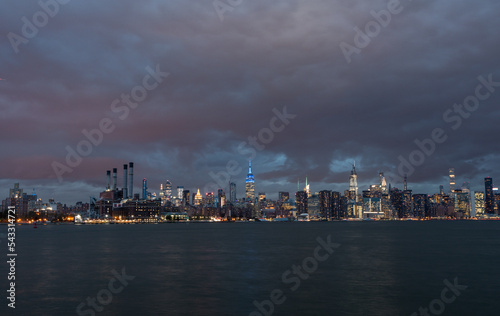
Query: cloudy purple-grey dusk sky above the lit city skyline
[[190, 90]]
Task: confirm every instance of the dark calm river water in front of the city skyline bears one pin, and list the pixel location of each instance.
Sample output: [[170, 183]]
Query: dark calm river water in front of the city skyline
[[380, 268]]
